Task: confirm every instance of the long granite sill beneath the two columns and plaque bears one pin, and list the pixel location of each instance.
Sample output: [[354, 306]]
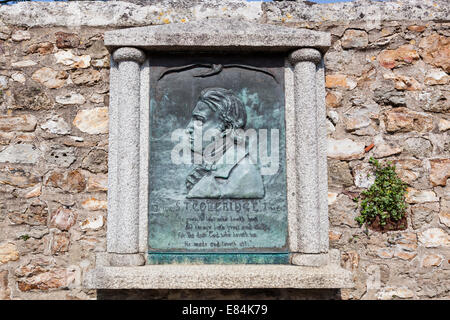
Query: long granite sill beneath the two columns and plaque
[[219, 277]]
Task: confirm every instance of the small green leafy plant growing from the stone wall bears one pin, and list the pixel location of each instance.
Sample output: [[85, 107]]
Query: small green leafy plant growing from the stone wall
[[385, 198]]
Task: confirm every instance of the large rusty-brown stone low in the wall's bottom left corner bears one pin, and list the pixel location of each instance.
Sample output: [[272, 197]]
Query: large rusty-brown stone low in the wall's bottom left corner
[[43, 275]]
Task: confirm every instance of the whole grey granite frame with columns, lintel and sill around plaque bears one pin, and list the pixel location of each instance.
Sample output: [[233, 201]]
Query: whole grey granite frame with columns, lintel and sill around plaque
[[122, 266]]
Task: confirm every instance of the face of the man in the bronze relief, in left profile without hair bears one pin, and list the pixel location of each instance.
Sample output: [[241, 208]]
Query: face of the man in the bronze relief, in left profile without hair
[[203, 120]]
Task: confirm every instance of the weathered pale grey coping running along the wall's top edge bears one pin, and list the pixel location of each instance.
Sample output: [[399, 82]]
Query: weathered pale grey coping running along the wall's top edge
[[99, 13]]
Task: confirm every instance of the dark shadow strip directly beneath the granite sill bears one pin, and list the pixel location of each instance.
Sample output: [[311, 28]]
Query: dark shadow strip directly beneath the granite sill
[[224, 294]]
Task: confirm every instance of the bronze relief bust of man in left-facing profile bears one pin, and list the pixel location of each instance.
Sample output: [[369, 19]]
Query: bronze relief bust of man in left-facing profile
[[217, 177]]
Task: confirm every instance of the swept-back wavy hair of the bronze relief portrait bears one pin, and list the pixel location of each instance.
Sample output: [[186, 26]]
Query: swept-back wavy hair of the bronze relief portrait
[[231, 109]]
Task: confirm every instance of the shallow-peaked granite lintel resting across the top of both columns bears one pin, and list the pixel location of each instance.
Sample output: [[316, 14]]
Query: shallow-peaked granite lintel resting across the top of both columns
[[218, 35]]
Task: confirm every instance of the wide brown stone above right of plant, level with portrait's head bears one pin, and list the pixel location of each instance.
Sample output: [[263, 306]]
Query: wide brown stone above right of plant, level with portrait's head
[[404, 120]]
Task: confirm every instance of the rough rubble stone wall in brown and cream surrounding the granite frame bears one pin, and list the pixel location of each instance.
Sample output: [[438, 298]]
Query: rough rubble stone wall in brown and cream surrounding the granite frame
[[387, 97]]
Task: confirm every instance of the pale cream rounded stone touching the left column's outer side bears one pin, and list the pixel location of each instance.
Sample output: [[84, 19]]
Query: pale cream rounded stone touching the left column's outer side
[[92, 121]]
